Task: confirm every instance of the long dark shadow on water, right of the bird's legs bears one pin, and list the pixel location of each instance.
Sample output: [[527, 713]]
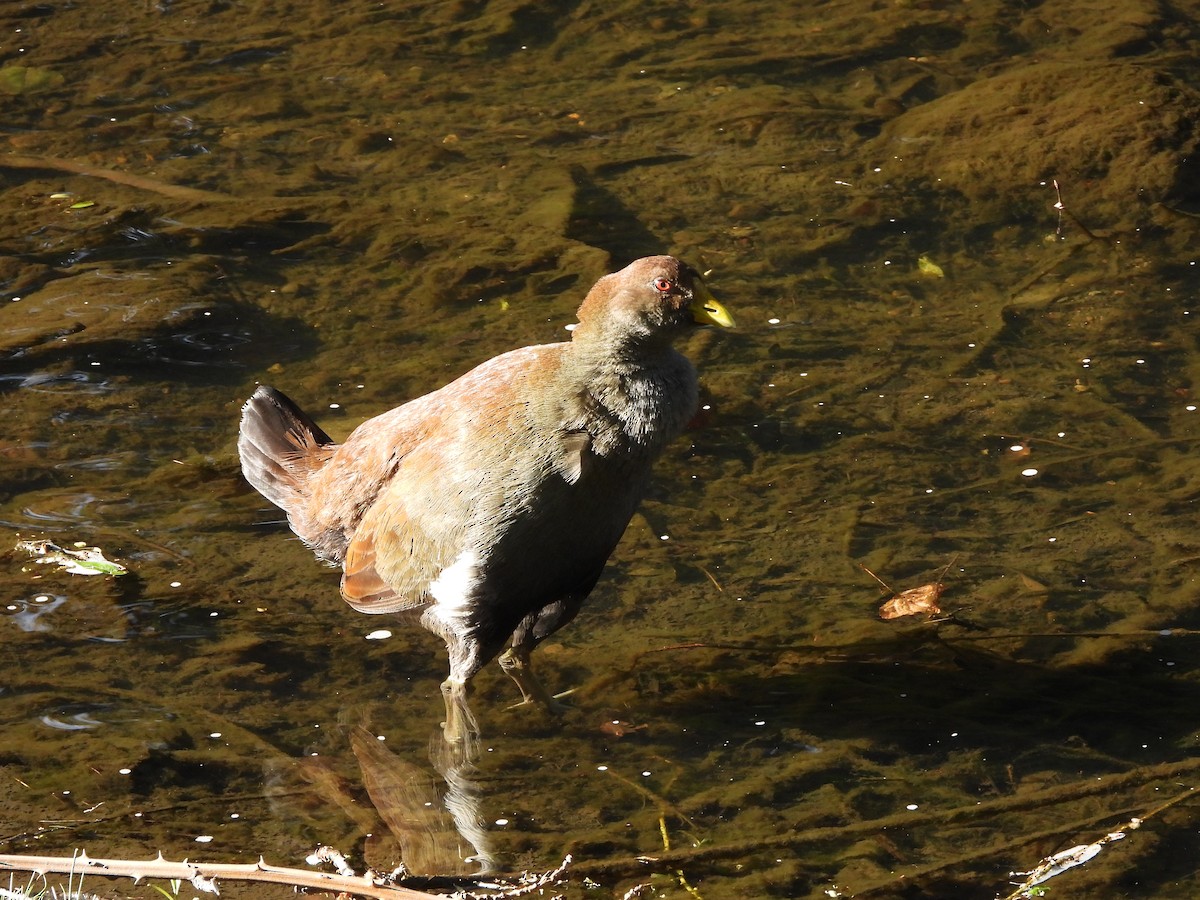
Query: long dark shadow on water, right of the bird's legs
[[938, 693]]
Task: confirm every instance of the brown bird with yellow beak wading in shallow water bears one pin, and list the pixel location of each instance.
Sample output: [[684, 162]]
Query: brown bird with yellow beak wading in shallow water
[[493, 505]]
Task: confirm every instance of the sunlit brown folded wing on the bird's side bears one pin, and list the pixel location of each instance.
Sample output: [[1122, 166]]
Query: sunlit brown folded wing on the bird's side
[[457, 461]]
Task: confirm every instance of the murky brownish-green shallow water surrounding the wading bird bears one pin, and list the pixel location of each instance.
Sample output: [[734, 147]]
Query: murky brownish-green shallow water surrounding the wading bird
[[358, 202]]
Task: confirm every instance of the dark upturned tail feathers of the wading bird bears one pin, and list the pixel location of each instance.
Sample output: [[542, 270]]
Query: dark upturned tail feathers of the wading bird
[[280, 447]]
